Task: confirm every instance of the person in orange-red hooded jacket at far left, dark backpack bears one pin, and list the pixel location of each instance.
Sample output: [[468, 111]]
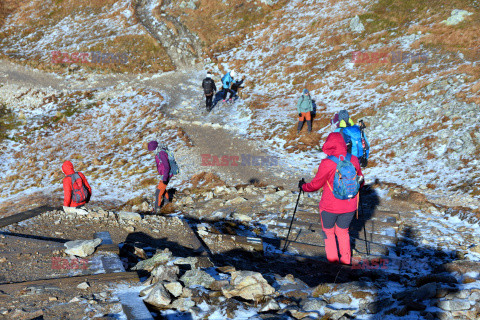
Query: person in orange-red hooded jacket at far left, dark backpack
[[76, 190]]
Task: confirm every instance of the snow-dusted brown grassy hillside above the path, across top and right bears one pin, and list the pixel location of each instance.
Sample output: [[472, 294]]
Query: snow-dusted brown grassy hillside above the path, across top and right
[[416, 112]]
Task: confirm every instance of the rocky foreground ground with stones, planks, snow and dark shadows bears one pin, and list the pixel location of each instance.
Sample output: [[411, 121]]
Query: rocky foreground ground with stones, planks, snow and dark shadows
[[219, 253]]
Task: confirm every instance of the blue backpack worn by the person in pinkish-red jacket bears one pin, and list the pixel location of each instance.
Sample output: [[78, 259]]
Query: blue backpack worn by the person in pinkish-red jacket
[[346, 182]]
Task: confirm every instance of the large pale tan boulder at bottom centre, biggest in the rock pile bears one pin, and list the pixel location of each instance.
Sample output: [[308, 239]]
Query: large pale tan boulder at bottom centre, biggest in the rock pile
[[248, 285]]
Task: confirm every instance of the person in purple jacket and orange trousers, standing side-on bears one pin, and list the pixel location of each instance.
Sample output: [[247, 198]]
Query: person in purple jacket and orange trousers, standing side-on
[[163, 168]]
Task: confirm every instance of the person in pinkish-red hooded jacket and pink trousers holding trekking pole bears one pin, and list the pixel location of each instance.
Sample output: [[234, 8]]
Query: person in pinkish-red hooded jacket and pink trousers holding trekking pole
[[335, 214]]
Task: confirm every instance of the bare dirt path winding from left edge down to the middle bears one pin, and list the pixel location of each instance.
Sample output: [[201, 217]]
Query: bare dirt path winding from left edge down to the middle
[[185, 107]]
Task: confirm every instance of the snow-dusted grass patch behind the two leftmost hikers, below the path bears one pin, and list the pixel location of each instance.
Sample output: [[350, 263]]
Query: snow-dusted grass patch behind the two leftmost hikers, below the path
[[106, 142]]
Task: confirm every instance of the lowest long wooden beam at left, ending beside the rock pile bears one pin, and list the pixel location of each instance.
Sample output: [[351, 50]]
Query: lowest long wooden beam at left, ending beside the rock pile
[[71, 281]]
